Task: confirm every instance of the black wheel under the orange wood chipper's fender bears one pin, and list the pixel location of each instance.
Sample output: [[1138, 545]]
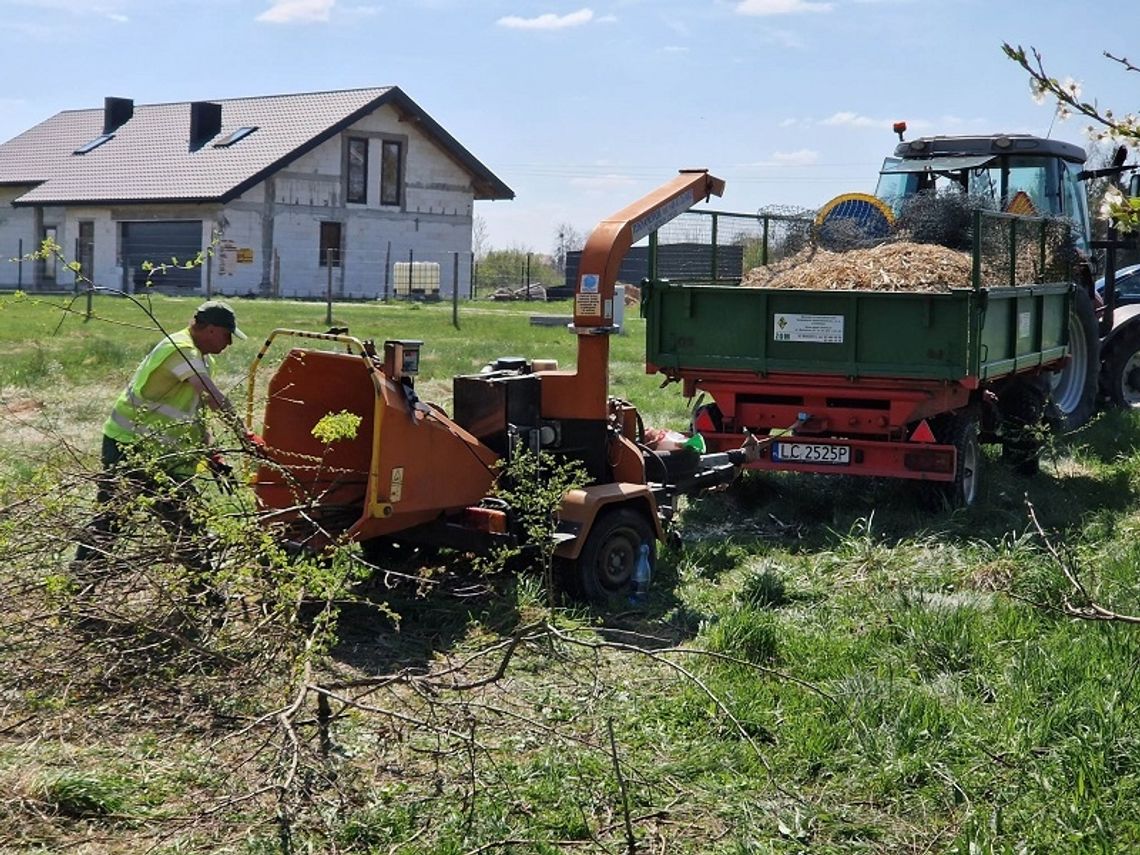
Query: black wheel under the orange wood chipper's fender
[[609, 557]]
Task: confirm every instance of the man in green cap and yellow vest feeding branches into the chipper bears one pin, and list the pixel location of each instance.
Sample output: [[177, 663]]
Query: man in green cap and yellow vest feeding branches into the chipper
[[157, 430]]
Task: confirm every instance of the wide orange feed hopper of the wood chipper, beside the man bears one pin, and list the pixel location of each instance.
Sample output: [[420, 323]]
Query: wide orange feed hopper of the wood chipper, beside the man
[[405, 465]]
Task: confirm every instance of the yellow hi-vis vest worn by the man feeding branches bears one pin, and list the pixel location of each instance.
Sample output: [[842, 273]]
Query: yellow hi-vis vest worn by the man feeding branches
[[172, 422]]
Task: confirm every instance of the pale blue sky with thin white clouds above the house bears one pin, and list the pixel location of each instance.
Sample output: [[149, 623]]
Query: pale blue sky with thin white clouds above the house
[[583, 107]]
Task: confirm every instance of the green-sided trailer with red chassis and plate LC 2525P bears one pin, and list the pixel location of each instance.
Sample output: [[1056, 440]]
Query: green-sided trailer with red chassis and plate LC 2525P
[[884, 384]]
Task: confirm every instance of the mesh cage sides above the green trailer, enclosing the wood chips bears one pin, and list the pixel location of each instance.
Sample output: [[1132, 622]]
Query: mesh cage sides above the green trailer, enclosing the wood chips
[[978, 246]]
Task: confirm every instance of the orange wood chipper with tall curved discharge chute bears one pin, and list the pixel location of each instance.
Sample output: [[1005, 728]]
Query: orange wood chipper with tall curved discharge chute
[[416, 476]]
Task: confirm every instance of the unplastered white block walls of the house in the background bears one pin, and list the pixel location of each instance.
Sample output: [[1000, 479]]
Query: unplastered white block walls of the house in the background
[[434, 225]]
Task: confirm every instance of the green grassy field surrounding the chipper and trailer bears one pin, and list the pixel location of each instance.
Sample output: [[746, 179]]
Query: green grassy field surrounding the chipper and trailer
[[824, 665]]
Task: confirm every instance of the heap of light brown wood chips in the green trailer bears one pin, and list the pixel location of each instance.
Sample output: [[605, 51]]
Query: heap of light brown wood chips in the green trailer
[[899, 266]]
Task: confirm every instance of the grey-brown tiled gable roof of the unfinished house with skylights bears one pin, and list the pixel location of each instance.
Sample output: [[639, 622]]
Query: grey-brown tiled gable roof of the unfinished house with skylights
[[150, 158]]
